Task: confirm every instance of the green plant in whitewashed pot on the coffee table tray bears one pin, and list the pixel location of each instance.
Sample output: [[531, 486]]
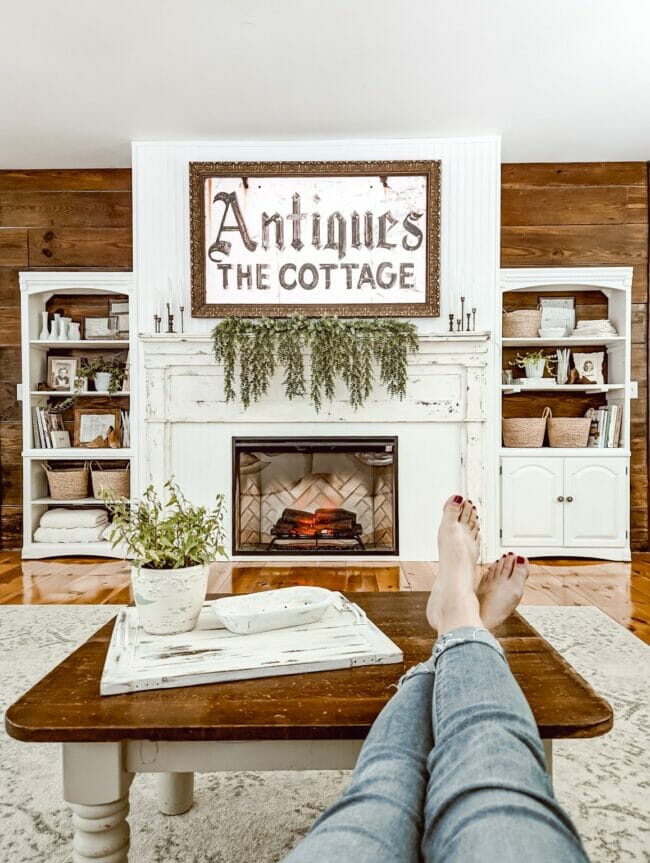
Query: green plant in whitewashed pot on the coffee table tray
[[172, 545]]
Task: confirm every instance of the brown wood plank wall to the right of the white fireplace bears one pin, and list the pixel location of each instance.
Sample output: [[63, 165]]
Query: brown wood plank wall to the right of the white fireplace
[[589, 214]]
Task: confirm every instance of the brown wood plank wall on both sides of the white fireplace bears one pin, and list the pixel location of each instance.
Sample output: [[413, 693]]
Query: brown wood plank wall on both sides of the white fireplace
[[552, 214]]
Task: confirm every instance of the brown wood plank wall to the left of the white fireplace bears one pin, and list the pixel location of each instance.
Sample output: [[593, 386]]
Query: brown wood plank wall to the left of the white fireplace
[[48, 220]]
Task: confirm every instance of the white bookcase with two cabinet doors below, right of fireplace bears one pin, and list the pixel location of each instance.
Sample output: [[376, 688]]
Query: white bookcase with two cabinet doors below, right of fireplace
[[568, 501]]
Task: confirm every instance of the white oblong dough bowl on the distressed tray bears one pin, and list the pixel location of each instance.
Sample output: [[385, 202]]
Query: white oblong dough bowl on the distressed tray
[[273, 609]]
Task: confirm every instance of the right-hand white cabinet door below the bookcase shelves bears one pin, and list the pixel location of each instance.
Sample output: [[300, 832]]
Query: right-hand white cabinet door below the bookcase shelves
[[596, 502]]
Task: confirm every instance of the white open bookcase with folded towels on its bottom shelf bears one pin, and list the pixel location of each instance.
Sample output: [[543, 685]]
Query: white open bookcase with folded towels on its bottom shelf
[[37, 288]]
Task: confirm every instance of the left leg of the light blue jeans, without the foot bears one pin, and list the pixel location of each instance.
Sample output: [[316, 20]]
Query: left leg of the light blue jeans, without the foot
[[380, 816]]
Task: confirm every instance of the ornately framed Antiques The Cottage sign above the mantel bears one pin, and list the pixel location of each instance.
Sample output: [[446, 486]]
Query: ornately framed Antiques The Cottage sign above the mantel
[[357, 239]]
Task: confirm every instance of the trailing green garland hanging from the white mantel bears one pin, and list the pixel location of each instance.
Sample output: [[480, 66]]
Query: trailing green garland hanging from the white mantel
[[349, 349]]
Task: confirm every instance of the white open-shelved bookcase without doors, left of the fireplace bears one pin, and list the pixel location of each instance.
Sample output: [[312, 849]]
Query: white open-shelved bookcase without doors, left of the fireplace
[[77, 293]]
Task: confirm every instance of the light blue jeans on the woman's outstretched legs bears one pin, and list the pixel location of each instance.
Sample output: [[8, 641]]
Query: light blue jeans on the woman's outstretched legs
[[481, 793]]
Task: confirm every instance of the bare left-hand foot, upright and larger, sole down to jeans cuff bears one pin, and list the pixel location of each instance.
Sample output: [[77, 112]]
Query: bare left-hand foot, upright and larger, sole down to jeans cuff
[[453, 602]]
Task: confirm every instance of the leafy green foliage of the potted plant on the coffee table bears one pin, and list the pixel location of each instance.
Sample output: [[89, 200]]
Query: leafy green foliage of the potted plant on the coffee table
[[169, 534]]
